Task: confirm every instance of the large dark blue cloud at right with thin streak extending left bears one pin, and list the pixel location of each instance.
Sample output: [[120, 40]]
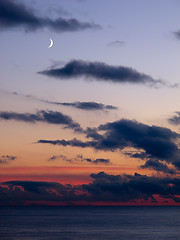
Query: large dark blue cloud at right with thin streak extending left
[[156, 142]]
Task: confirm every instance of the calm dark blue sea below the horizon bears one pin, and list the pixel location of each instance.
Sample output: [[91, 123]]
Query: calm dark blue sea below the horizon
[[65, 223]]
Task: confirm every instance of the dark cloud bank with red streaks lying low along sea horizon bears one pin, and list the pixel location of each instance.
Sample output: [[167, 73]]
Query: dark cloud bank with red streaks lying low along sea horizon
[[104, 188]]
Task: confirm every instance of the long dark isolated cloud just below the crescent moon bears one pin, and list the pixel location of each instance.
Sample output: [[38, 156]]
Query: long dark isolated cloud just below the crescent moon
[[101, 72]]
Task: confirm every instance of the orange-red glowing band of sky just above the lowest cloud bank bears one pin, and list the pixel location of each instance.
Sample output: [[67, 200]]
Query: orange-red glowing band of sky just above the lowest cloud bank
[[73, 175]]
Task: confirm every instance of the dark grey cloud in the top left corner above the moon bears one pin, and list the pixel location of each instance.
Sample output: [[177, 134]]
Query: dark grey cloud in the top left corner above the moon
[[16, 15]]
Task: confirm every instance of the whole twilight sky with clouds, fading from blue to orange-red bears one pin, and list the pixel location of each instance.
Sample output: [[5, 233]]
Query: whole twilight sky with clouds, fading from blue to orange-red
[[95, 118]]
